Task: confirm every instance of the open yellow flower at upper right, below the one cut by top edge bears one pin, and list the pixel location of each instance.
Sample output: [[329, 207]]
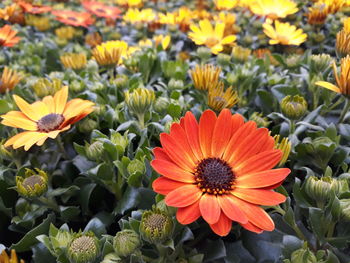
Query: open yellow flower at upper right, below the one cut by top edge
[[284, 34]]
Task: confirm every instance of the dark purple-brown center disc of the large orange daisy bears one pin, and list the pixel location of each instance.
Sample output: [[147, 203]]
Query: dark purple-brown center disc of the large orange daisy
[[214, 176]]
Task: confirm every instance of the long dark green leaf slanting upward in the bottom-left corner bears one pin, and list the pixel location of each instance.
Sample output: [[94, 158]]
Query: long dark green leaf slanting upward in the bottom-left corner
[[30, 238]]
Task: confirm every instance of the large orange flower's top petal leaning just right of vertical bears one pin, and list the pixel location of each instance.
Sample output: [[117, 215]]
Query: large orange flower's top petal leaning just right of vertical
[[222, 133]]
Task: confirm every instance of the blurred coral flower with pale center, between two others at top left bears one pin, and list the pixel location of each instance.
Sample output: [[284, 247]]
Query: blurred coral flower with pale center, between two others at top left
[[73, 18]]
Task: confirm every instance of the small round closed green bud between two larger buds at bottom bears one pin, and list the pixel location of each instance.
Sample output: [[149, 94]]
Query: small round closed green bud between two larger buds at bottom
[[126, 242]]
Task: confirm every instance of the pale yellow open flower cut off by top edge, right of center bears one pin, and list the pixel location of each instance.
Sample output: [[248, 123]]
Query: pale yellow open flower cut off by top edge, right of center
[[273, 8]]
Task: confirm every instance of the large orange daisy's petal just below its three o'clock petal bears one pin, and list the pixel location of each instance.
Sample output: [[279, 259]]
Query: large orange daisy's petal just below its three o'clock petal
[[259, 196]]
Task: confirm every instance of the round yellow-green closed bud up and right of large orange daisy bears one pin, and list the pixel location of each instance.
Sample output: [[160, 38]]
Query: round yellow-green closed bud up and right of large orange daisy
[[293, 107]]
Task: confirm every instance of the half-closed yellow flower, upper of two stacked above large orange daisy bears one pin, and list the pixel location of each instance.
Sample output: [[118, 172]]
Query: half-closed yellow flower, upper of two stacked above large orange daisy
[[205, 76]]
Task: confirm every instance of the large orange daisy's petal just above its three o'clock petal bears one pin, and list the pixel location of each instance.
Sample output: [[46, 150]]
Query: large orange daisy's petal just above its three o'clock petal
[[260, 162]]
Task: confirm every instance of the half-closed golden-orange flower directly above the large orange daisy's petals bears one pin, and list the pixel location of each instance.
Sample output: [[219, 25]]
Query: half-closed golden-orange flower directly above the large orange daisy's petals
[[219, 98]]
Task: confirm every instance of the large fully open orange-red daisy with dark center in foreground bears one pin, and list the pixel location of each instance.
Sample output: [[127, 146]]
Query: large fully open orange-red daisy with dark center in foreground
[[220, 169]]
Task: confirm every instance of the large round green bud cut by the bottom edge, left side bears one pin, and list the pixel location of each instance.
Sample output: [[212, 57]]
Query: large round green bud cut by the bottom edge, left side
[[84, 248]]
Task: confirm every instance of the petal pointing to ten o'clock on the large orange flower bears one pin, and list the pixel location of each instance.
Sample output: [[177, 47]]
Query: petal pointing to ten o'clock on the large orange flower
[[176, 152]]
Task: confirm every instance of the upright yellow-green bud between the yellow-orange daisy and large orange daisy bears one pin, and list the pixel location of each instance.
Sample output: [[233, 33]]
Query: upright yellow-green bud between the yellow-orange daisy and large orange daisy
[[139, 100]]
